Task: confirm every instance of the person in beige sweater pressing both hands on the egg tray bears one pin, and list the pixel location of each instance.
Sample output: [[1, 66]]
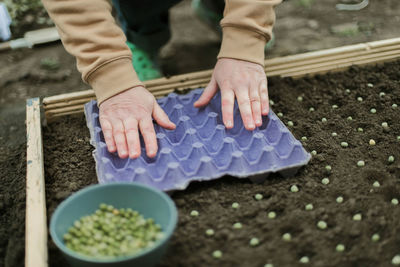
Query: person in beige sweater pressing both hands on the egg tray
[[90, 33]]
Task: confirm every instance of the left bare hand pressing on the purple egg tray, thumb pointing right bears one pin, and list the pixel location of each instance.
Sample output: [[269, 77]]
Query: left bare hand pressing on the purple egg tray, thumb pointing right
[[123, 115]]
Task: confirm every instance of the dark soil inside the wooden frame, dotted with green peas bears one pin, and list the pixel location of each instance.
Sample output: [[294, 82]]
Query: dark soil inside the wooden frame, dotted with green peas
[[69, 166]]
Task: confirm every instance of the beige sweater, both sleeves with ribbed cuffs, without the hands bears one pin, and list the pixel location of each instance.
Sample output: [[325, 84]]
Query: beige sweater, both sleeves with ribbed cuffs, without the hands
[[90, 33]]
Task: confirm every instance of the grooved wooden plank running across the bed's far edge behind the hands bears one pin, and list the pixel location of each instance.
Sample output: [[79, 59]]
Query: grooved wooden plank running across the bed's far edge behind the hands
[[310, 63]]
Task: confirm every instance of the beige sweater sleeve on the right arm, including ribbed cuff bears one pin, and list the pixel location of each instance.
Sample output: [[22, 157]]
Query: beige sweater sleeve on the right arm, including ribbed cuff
[[247, 26]]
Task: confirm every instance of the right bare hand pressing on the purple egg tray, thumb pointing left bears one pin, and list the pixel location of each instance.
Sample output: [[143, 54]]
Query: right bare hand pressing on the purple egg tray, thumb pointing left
[[243, 80]]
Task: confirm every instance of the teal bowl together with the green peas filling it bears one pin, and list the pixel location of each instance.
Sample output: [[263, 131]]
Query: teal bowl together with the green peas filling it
[[116, 224]]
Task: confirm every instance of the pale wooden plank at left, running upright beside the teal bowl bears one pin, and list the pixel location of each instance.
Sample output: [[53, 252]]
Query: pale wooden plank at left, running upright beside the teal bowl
[[36, 254]]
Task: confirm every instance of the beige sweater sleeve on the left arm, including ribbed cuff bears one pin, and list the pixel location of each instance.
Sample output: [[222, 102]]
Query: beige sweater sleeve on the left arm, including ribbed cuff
[[89, 32]]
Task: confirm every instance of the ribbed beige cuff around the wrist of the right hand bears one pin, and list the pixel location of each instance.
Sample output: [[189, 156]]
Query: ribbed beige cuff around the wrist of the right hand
[[242, 44]]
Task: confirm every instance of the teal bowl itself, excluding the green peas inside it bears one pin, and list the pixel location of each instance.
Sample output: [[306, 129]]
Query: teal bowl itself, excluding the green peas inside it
[[149, 202]]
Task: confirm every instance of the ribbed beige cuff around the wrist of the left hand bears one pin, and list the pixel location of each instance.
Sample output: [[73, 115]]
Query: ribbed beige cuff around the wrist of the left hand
[[113, 78]]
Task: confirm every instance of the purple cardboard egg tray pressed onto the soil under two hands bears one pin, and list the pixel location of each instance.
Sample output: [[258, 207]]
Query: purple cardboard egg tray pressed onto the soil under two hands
[[200, 148]]
